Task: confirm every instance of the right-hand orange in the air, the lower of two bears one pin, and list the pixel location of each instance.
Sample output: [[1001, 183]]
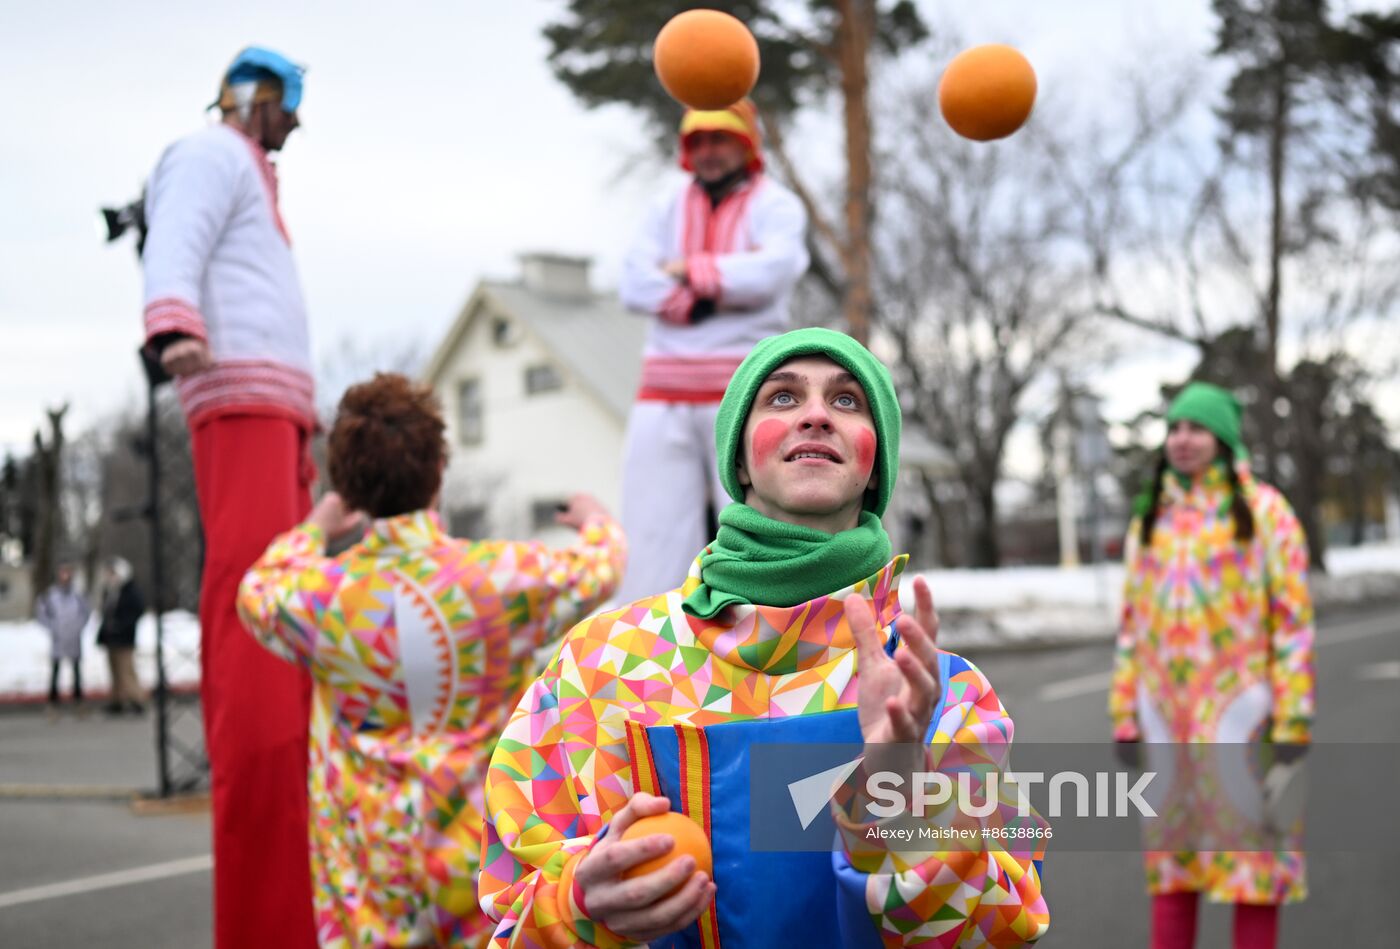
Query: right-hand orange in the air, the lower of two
[[988, 92]]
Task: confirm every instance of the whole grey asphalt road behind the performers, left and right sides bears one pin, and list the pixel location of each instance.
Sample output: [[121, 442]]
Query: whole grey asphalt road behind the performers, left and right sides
[[90, 873]]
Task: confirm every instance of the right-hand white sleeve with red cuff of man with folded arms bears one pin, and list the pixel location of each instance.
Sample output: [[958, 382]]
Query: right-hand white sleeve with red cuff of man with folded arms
[[757, 279]]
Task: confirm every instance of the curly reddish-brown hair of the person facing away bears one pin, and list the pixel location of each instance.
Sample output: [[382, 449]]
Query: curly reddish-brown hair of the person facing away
[[387, 447]]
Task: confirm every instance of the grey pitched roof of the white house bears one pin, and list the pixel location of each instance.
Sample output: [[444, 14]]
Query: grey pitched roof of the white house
[[594, 338]]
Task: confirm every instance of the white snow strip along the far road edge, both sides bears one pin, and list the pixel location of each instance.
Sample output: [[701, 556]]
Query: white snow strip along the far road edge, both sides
[[978, 608]]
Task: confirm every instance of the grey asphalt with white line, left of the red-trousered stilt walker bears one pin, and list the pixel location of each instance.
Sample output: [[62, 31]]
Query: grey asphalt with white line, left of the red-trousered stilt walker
[[87, 871]]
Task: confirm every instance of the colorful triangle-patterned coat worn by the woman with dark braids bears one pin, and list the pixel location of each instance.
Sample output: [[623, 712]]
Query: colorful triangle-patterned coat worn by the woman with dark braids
[[1217, 647]]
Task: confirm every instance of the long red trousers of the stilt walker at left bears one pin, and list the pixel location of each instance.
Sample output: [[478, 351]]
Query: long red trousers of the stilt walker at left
[[254, 478]]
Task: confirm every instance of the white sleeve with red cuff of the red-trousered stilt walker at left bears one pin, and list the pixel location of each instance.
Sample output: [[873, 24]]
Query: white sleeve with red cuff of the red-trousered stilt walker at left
[[188, 204]]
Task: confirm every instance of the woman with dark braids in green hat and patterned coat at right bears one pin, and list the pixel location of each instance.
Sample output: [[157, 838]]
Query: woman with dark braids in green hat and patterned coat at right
[[1216, 660]]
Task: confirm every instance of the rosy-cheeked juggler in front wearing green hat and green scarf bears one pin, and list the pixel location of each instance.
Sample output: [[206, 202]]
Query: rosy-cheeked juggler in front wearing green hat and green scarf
[[787, 631]]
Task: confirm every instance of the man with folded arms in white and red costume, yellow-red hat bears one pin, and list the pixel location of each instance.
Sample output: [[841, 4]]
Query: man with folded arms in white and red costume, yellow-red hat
[[713, 268]]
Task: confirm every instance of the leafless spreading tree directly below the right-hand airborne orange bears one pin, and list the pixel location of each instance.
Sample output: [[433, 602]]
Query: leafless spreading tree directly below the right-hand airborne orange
[[986, 272]]
